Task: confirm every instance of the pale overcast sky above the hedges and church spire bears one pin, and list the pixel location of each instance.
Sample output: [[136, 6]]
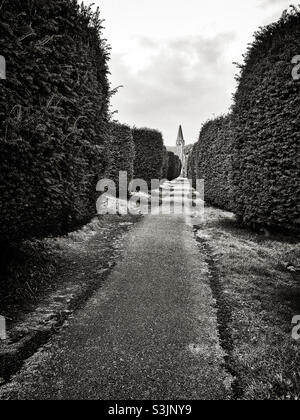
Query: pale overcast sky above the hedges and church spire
[[174, 57]]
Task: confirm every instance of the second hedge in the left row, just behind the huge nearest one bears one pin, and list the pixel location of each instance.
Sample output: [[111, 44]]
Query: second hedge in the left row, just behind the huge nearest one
[[120, 152]]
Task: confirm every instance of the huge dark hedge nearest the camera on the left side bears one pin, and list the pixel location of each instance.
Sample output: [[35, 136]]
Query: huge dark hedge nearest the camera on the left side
[[53, 114]]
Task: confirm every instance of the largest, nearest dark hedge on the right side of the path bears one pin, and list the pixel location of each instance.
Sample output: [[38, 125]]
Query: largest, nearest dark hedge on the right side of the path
[[266, 152]]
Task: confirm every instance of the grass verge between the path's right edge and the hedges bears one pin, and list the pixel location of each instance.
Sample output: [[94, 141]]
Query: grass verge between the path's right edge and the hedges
[[262, 294]]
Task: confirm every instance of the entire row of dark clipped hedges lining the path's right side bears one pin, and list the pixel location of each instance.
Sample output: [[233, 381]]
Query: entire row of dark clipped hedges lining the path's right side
[[250, 160]]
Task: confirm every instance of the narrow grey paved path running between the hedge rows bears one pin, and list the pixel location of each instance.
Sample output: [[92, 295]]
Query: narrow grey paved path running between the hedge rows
[[149, 333]]
